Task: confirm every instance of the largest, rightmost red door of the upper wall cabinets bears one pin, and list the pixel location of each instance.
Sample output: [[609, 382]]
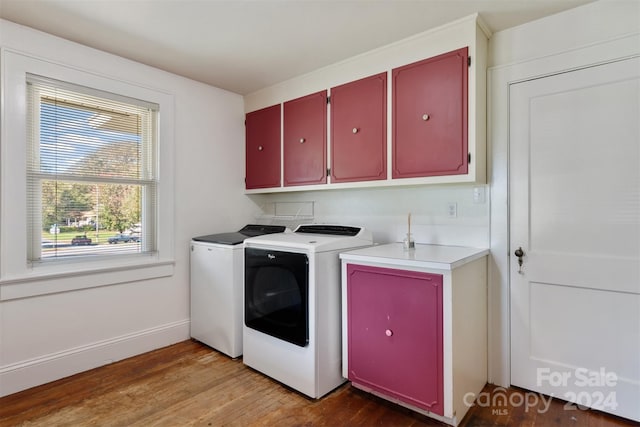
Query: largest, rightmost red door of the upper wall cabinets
[[430, 117]]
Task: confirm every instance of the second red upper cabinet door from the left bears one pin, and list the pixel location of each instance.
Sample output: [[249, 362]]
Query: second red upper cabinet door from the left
[[305, 140]]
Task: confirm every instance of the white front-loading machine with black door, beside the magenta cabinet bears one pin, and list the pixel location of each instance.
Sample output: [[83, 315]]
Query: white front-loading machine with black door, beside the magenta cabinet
[[292, 305]]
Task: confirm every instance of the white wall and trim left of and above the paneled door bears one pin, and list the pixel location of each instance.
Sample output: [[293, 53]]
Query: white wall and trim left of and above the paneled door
[[579, 37]]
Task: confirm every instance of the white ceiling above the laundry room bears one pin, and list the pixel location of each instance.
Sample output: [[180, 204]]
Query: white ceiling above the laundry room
[[246, 45]]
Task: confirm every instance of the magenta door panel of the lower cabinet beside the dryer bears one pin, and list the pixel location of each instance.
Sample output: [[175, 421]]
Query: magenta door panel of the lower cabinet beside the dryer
[[395, 334]]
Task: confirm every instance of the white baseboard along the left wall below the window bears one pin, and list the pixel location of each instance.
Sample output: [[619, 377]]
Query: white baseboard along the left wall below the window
[[30, 373]]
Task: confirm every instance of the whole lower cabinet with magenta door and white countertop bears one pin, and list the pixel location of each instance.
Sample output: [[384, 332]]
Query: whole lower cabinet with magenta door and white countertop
[[414, 326]]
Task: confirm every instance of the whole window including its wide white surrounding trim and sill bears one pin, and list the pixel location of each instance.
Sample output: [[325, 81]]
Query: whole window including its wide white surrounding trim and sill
[[70, 139]]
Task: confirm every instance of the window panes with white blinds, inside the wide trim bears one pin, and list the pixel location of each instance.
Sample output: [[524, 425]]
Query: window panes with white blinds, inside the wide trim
[[92, 173]]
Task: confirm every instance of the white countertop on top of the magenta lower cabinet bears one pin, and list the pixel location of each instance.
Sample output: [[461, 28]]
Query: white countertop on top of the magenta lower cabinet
[[436, 257]]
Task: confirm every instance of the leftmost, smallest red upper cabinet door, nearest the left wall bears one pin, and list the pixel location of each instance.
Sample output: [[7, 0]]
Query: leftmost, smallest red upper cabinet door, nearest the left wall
[[263, 148]]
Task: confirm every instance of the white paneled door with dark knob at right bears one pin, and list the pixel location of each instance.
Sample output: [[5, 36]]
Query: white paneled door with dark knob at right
[[574, 207]]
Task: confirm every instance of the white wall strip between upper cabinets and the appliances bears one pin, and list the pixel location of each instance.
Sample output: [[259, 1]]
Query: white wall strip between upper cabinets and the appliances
[[384, 212]]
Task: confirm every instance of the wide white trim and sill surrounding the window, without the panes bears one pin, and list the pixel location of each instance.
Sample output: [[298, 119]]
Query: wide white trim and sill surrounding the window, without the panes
[[20, 278]]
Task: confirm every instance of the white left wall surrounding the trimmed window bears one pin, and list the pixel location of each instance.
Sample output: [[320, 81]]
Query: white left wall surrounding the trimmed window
[[51, 336]]
